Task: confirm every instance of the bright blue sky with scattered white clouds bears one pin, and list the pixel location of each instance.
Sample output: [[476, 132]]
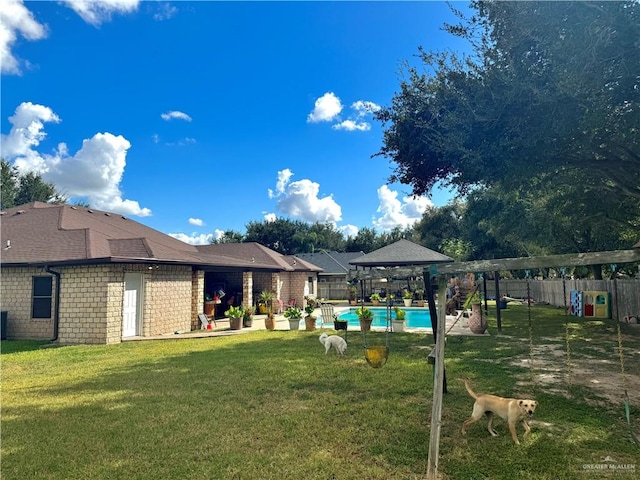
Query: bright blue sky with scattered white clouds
[[199, 117]]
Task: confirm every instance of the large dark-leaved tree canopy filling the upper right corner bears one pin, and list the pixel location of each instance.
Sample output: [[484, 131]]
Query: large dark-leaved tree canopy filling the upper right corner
[[549, 96]]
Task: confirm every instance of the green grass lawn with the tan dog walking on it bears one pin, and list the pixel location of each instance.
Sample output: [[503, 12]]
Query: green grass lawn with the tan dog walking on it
[[271, 405]]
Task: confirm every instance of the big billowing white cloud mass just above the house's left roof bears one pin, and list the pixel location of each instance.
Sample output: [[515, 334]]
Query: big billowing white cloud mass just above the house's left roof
[[94, 172]]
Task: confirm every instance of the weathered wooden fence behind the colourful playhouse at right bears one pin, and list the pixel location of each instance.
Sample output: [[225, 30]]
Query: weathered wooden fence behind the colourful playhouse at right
[[624, 293]]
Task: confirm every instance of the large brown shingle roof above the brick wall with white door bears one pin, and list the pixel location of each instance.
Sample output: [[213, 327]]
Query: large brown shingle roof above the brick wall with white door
[[42, 233]]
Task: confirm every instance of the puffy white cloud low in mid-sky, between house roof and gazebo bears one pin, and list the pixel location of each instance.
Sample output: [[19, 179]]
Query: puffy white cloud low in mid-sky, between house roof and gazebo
[[300, 200]]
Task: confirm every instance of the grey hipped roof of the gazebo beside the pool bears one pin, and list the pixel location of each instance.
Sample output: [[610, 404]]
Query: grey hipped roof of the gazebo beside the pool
[[402, 252]]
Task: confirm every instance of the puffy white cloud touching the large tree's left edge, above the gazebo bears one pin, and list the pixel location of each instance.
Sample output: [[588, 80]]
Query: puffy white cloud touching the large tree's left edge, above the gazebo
[[396, 213]]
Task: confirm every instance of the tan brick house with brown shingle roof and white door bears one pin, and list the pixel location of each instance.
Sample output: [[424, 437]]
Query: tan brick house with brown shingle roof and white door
[[78, 275]]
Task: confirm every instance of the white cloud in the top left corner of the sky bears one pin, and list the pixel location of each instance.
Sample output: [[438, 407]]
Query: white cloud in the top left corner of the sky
[[16, 19]]
